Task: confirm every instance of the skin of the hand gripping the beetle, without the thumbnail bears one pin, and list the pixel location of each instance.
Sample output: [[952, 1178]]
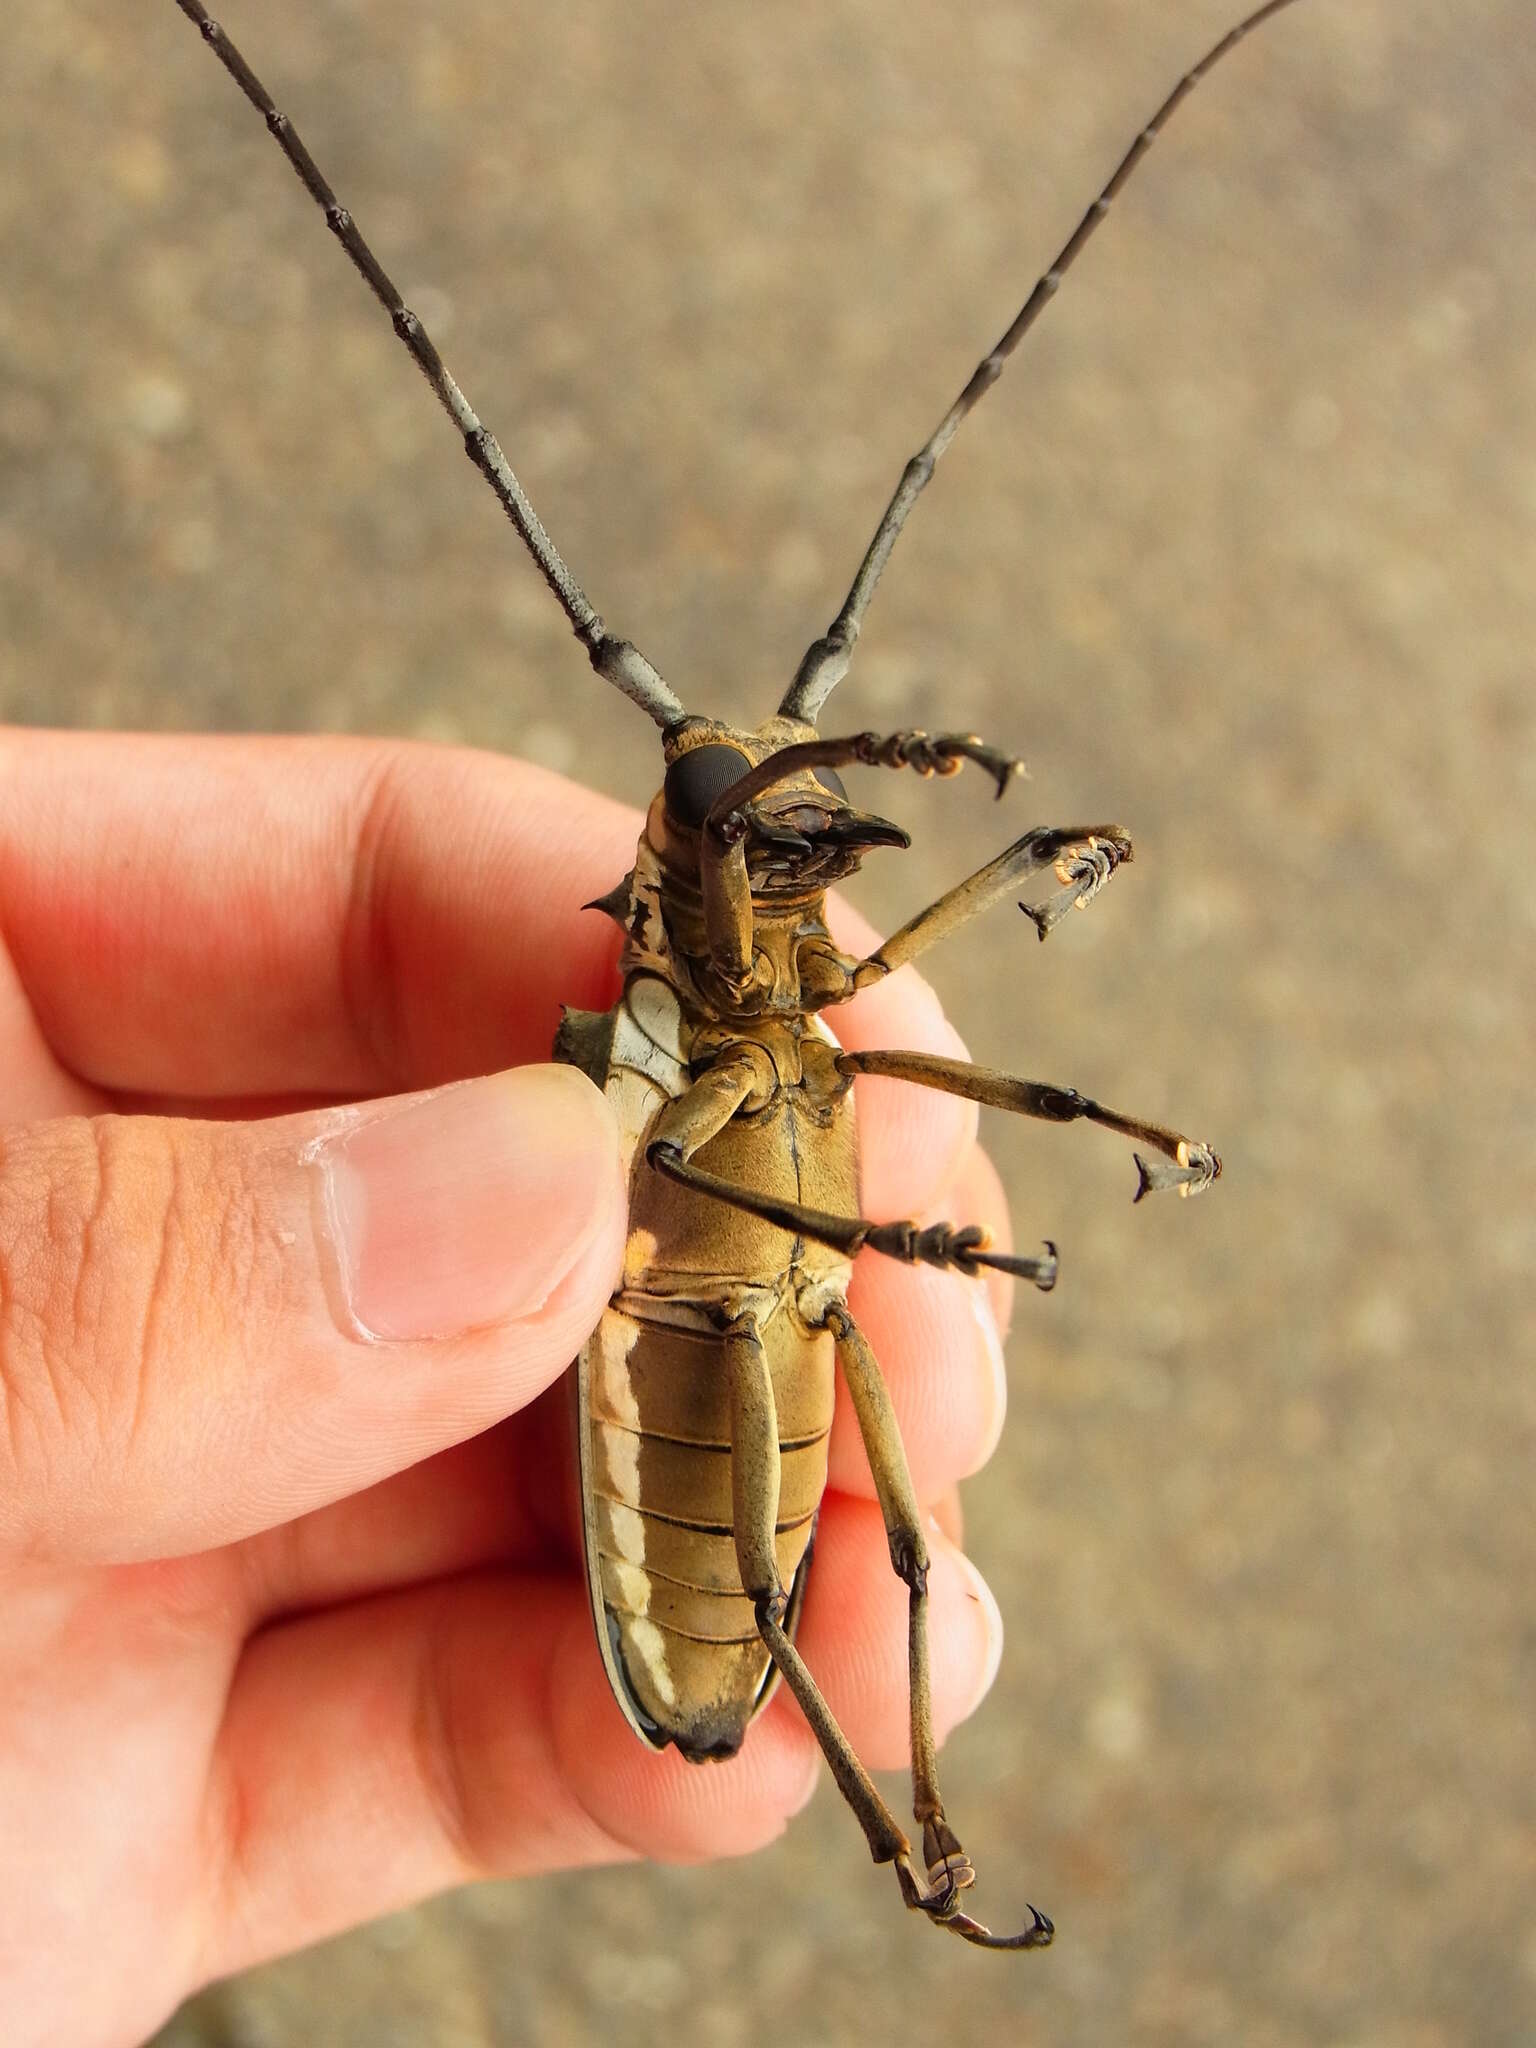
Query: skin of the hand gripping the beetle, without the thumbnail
[[292, 1625]]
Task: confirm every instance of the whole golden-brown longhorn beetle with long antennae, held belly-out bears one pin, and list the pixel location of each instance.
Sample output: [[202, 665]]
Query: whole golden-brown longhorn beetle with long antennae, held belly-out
[[706, 1394]]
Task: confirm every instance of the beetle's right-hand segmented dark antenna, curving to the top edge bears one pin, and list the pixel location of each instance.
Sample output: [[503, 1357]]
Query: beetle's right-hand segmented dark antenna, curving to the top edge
[[826, 660]]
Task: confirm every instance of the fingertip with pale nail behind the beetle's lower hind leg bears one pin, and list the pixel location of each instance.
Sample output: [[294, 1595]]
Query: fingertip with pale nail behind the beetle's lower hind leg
[[855, 1633]]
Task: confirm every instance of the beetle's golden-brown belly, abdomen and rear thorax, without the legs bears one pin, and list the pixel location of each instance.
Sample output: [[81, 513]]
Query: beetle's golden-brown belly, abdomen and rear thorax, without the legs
[[675, 1625]]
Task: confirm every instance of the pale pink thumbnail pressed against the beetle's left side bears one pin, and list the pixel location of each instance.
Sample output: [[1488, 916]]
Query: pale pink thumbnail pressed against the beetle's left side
[[470, 1205]]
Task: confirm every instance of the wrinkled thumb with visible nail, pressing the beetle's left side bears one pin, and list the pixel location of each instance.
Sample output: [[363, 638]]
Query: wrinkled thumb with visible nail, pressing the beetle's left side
[[208, 1330]]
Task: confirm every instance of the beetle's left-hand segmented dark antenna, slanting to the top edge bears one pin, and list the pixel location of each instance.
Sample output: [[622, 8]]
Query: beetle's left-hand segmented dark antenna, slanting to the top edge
[[615, 660]]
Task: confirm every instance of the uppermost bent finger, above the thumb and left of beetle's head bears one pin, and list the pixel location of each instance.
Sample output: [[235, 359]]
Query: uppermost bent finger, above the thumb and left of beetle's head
[[206, 919]]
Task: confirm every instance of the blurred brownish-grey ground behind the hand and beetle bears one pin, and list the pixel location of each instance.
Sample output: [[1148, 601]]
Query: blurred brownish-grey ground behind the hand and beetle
[[1240, 552]]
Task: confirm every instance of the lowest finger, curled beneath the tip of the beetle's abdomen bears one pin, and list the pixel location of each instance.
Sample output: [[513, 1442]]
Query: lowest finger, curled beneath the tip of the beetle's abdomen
[[460, 1732]]
